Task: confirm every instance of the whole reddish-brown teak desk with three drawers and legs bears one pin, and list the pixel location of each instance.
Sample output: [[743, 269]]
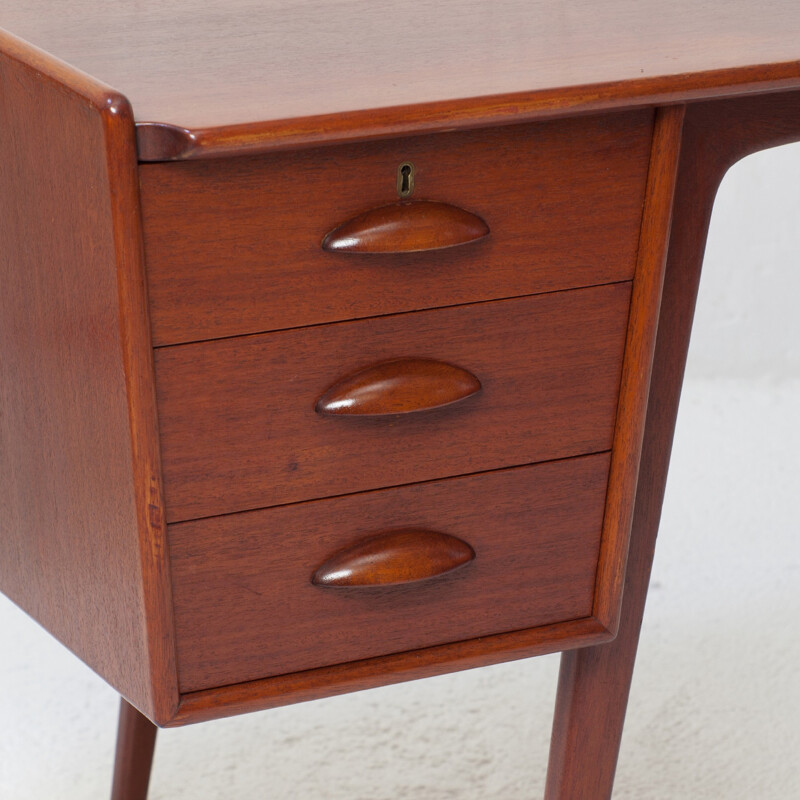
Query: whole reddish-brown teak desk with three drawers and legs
[[347, 350]]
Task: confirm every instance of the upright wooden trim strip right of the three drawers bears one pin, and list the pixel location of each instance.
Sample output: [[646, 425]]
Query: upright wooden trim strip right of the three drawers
[[640, 344]]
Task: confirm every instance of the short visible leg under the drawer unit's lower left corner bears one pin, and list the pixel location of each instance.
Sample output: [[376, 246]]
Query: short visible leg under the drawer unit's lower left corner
[[136, 740]]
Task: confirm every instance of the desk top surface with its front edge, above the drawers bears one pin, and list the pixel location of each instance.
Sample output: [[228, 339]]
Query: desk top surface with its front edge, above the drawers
[[251, 65]]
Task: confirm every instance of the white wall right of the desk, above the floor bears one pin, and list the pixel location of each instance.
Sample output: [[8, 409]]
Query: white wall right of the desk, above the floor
[[748, 323]]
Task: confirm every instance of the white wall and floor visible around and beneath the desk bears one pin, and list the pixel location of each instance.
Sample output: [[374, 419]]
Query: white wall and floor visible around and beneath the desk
[[715, 701]]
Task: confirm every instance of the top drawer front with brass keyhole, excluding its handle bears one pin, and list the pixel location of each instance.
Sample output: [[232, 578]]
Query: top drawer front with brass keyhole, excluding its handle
[[233, 246]]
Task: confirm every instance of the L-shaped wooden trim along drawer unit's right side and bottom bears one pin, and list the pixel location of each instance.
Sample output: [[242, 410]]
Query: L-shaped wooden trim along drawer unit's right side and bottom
[[600, 625]]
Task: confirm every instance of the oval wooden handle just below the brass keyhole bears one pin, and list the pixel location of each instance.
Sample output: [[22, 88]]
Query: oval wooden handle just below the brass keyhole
[[407, 227]]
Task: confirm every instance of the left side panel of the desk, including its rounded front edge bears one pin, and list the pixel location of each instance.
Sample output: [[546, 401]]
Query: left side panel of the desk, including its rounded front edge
[[82, 548]]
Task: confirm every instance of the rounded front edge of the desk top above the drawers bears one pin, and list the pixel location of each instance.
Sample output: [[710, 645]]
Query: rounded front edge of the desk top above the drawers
[[166, 142]]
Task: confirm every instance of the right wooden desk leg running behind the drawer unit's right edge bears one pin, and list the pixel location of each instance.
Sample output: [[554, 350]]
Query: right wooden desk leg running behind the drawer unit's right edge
[[594, 682]]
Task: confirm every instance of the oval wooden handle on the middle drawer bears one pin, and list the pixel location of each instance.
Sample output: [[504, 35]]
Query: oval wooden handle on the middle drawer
[[399, 386]]
